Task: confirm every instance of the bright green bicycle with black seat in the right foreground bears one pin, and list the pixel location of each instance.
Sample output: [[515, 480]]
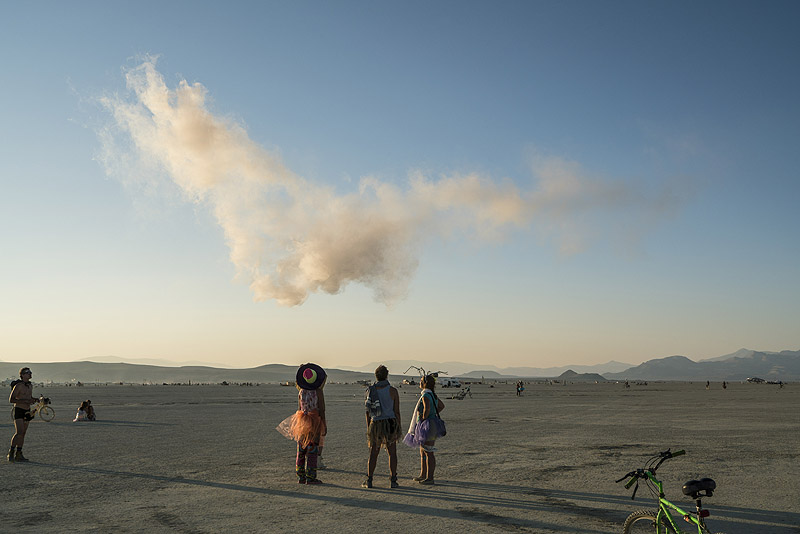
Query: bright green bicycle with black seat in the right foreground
[[661, 520]]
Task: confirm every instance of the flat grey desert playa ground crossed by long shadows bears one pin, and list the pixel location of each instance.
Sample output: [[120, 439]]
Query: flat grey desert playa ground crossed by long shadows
[[207, 459]]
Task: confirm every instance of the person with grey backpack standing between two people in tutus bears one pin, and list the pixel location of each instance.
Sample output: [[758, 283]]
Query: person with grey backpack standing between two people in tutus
[[383, 424]]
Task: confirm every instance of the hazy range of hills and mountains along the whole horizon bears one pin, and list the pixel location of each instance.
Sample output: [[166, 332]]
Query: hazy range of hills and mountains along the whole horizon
[[742, 364]]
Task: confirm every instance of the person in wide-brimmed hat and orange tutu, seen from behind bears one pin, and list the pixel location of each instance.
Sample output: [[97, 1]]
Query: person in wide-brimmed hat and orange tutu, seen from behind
[[307, 426]]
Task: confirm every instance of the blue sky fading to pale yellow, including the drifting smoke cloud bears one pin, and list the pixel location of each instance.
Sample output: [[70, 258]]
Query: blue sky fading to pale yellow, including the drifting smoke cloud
[[508, 183]]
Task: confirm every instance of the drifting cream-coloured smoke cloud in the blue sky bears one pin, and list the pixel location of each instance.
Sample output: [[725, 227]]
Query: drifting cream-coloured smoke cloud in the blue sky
[[288, 237]]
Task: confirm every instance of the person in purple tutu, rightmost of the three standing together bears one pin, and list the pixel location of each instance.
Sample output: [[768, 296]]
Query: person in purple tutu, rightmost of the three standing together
[[425, 427]]
